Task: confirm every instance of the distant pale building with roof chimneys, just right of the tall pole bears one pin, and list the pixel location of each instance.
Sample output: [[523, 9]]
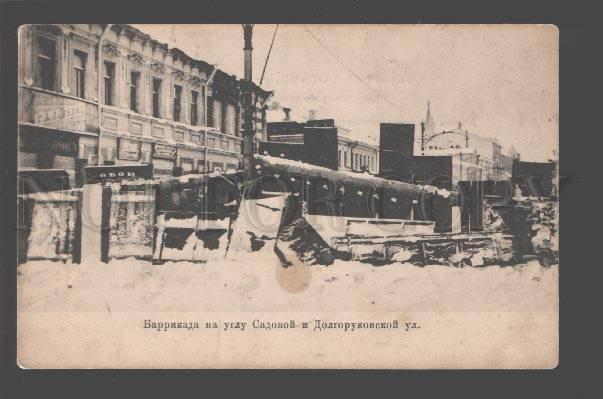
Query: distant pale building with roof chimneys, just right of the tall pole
[[353, 155]]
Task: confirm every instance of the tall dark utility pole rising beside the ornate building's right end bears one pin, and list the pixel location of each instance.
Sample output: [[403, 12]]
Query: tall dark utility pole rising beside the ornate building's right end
[[248, 132]]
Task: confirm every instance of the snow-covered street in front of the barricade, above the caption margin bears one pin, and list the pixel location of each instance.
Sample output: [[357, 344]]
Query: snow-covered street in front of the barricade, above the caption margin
[[256, 282]]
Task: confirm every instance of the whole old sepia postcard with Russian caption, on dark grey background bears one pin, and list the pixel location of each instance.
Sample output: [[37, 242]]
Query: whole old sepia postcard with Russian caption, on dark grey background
[[288, 196]]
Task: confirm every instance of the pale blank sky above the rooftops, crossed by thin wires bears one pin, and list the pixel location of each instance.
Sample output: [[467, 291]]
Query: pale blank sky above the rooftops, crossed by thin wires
[[498, 80]]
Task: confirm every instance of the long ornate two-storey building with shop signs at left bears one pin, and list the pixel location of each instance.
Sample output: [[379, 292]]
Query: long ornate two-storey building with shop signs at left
[[149, 103]]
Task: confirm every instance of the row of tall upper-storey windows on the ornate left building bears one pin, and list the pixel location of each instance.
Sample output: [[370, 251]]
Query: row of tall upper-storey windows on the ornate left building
[[223, 117]]
